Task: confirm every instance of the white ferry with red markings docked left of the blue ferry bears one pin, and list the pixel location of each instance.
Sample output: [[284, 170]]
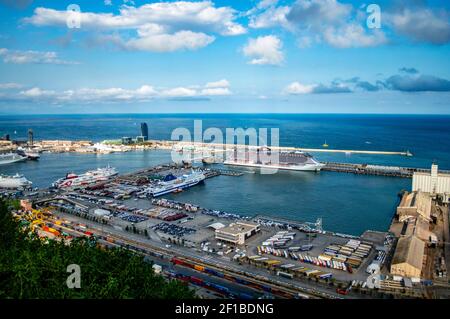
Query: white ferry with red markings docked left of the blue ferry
[[88, 178]]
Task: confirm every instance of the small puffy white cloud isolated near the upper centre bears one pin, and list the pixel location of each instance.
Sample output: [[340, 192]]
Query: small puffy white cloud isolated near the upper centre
[[264, 50]]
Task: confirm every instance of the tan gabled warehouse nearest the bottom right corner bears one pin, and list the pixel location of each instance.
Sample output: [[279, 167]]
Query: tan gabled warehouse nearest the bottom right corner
[[408, 257]]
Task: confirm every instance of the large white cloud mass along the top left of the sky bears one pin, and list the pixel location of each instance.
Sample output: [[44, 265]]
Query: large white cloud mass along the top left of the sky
[[159, 27]]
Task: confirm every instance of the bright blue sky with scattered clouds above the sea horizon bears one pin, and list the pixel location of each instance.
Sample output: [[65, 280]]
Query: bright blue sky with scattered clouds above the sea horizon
[[247, 56]]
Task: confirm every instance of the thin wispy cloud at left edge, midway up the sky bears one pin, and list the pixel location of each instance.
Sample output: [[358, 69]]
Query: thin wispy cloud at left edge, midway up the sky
[[39, 57]]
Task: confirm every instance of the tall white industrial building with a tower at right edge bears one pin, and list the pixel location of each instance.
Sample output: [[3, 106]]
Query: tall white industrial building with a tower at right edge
[[434, 183]]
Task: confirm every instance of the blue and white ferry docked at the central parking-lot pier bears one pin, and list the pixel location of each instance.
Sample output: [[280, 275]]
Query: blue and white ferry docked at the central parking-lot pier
[[172, 184]]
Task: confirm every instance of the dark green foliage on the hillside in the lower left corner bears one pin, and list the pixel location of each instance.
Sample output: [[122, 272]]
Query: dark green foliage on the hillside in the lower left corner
[[30, 268]]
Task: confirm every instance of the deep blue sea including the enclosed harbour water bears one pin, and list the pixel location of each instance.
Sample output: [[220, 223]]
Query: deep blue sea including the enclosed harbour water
[[346, 203]]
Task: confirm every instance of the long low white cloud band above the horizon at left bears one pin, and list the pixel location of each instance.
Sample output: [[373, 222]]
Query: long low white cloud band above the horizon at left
[[114, 94]]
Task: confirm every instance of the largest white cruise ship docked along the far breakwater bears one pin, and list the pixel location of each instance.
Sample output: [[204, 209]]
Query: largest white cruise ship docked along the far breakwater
[[294, 160]]
